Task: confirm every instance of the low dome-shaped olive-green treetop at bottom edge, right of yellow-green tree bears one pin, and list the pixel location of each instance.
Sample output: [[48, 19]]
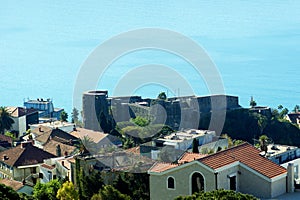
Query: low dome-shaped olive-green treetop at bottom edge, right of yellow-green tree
[[110, 193]]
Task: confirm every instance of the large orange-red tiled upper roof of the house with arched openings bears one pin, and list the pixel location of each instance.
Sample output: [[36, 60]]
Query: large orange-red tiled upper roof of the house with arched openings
[[246, 154]]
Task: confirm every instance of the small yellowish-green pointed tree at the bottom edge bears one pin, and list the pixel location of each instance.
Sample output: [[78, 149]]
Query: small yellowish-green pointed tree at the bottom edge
[[67, 192]]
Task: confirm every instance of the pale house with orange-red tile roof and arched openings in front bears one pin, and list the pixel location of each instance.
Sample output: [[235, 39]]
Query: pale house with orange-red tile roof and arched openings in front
[[239, 168]]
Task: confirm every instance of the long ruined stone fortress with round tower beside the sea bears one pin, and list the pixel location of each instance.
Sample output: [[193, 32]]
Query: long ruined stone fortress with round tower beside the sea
[[176, 112]]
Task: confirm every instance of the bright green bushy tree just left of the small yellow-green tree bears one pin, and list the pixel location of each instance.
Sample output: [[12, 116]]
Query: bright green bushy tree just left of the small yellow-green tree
[[47, 190]]
